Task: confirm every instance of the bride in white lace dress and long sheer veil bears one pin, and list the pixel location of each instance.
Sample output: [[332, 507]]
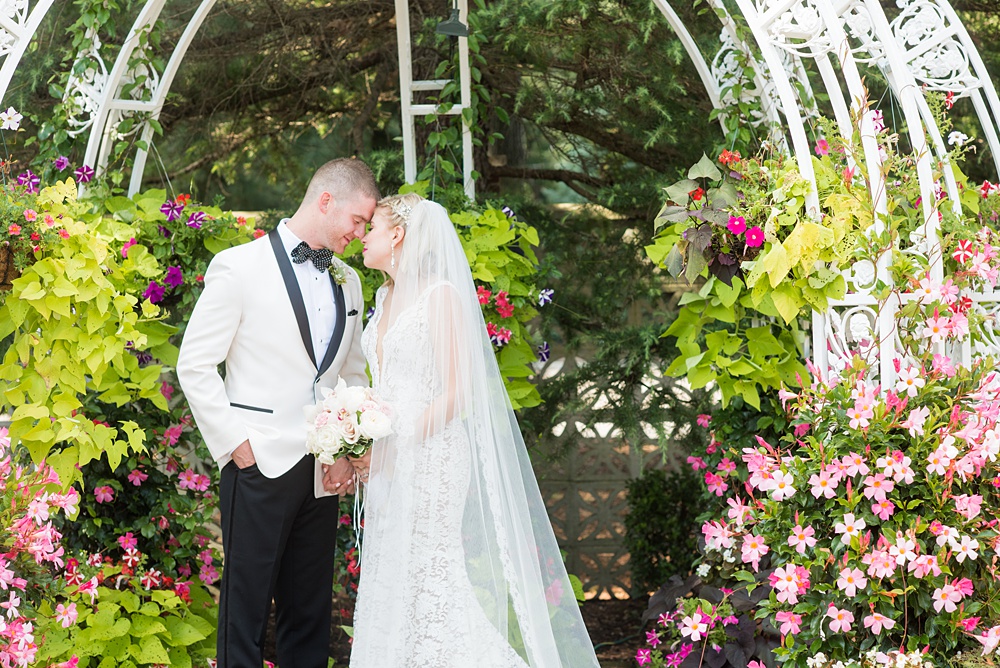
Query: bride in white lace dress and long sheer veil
[[459, 564]]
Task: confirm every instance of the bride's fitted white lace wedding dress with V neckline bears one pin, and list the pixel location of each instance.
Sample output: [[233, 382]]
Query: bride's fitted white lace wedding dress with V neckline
[[417, 607]]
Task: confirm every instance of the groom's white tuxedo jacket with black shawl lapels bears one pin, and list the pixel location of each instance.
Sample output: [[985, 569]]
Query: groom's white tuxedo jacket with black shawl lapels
[[251, 317]]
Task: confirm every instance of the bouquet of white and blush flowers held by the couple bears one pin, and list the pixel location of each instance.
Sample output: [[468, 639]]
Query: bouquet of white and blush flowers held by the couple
[[345, 422]]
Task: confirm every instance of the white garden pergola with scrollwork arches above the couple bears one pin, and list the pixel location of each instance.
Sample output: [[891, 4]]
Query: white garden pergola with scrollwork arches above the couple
[[793, 45]]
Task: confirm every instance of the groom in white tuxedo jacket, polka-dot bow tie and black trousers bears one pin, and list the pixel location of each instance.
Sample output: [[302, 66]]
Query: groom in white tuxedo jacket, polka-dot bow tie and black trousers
[[284, 327]]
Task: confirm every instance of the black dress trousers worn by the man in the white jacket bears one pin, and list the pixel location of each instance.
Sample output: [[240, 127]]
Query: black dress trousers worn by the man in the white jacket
[[279, 543]]
